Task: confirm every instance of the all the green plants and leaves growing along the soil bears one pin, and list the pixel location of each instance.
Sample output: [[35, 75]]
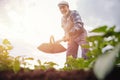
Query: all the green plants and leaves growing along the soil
[[103, 55]]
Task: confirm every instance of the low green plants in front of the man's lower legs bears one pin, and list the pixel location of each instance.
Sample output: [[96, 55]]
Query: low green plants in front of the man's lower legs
[[76, 64]]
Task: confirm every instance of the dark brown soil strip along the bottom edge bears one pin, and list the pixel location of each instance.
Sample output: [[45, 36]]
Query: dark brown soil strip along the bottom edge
[[52, 74]]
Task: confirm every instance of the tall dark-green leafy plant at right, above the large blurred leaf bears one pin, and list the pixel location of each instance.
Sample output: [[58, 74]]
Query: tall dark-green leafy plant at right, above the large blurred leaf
[[107, 37]]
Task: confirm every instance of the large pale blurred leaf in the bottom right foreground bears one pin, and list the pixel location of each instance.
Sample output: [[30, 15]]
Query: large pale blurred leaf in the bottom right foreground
[[108, 62]]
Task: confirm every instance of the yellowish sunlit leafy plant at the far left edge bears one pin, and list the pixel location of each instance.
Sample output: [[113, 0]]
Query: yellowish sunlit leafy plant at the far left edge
[[8, 62]]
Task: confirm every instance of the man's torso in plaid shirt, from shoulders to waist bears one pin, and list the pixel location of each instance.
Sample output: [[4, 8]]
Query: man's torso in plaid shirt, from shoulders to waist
[[72, 24]]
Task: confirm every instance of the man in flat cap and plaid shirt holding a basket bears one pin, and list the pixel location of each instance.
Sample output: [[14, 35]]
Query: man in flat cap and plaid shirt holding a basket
[[75, 33]]
